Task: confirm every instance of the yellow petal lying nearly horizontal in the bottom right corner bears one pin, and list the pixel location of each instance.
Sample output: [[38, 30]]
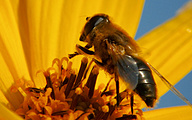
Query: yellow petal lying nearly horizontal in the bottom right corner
[[173, 113]]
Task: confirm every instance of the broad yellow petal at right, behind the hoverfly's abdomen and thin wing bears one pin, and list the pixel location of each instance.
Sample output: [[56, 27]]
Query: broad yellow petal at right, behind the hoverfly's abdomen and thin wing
[[169, 48]]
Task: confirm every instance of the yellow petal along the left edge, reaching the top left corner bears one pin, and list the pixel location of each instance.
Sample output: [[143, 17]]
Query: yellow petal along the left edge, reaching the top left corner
[[10, 43]]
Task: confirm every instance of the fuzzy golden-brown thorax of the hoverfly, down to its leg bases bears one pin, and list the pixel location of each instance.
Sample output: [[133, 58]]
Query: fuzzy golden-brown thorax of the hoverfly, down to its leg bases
[[113, 35]]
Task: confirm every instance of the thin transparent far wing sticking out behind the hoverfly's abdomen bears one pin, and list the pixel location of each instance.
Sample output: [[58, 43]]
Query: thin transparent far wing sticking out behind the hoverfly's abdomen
[[170, 86]]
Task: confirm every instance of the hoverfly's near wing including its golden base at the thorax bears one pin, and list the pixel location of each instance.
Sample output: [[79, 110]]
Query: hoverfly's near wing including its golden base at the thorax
[[126, 66]]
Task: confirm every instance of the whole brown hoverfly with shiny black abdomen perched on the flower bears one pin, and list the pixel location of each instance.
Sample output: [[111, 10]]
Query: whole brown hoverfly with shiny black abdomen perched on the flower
[[118, 54]]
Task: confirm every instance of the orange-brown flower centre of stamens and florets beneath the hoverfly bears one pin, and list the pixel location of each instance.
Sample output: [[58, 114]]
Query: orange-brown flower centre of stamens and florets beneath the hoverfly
[[71, 95]]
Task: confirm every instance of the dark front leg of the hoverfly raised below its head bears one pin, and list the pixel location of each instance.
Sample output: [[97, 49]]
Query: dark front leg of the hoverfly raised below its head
[[82, 50]]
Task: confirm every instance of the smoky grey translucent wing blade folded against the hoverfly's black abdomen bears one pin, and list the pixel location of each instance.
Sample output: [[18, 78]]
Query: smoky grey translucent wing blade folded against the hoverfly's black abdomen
[[127, 70]]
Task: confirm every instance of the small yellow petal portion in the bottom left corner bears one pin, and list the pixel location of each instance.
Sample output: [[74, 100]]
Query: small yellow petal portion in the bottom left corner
[[6, 114]]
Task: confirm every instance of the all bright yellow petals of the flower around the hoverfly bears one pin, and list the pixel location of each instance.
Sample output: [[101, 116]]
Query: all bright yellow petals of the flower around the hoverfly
[[33, 33]]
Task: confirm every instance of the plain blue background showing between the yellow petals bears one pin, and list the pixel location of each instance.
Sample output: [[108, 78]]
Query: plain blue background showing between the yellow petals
[[155, 13]]
